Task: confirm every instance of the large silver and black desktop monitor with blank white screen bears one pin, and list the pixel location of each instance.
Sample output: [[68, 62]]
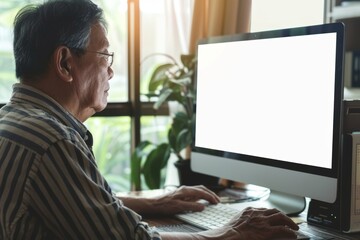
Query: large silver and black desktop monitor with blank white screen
[[269, 110]]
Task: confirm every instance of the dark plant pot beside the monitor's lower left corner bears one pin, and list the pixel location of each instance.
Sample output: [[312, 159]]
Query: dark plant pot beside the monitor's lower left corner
[[191, 178]]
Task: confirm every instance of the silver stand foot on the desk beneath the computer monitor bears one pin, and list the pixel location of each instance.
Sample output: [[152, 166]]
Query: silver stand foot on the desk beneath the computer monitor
[[289, 204]]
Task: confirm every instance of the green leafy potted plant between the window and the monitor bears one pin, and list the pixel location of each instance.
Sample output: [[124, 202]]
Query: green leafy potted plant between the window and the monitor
[[171, 81]]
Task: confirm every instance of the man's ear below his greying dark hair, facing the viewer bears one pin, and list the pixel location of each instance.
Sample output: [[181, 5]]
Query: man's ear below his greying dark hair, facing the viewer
[[63, 60]]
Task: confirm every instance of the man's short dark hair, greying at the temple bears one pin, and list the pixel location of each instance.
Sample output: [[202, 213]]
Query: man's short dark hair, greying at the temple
[[40, 29]]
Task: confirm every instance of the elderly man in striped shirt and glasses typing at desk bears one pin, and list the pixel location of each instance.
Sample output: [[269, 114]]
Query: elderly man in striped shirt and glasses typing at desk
[[50, 187]]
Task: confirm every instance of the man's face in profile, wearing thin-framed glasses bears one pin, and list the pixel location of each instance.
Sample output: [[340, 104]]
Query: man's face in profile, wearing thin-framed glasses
[[93, 75]]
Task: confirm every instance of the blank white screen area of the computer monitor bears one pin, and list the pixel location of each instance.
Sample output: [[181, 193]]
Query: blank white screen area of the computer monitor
[[276, 97]]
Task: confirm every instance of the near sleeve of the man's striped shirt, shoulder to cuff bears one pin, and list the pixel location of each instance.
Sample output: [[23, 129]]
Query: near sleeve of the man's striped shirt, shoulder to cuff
[[71, 197]]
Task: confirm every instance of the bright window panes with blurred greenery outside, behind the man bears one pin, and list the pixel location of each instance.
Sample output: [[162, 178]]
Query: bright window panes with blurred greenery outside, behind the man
[[113, 128]]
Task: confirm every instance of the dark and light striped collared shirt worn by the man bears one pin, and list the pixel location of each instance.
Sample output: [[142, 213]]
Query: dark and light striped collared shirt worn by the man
[[50, 186]]
